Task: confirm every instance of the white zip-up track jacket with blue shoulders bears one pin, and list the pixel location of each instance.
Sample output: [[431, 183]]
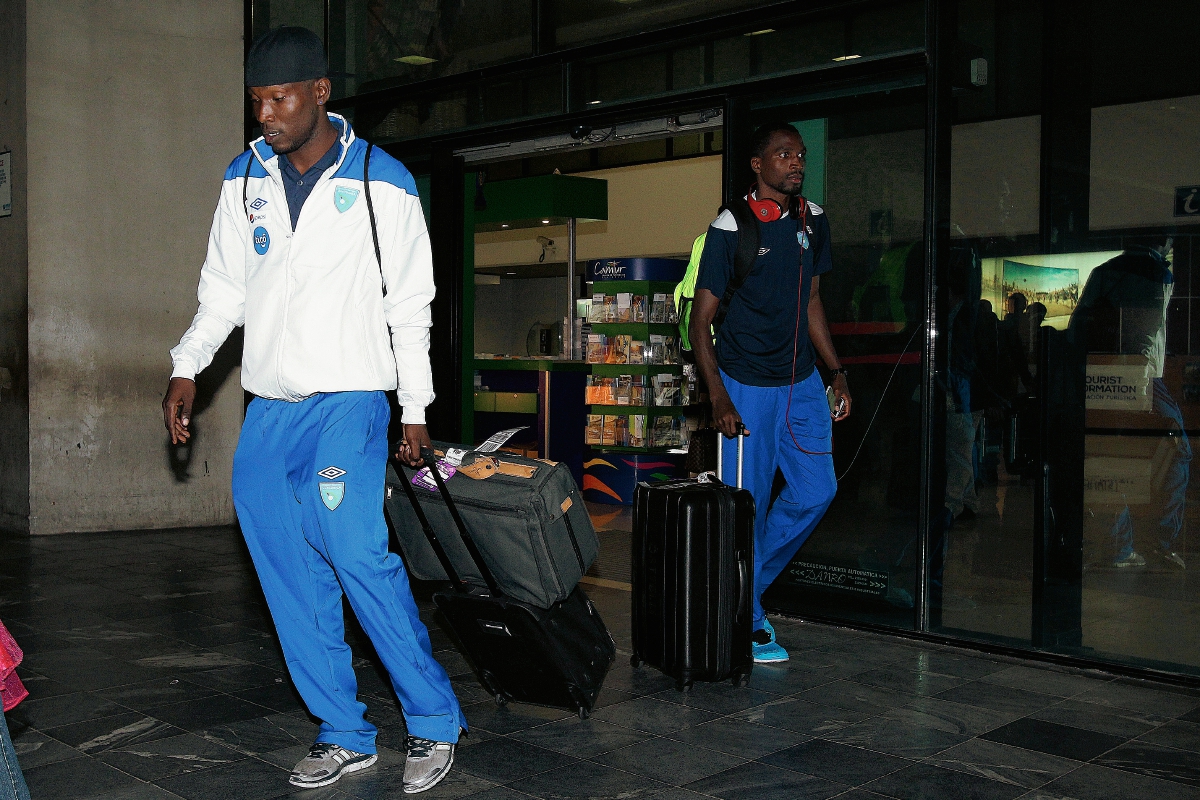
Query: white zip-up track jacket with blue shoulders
[[313, 302]]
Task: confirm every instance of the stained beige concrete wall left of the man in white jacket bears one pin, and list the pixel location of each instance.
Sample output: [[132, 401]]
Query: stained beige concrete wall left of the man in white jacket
[[135, 111]]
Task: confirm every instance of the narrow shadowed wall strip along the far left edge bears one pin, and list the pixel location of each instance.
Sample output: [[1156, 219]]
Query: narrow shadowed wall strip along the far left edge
[[14, 278]]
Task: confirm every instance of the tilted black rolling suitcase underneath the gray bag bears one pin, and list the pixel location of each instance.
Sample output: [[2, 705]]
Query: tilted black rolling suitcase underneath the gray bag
[[550, 657]]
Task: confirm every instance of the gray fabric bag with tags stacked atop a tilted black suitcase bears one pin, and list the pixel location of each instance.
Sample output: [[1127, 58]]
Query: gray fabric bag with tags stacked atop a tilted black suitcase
[[527, 519]]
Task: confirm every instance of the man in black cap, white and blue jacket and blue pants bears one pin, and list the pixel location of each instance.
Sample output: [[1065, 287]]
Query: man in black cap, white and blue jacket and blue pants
[[337, 312]]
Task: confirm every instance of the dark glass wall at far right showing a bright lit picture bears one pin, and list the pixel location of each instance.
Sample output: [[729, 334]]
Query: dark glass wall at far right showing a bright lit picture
[[1073, 381]]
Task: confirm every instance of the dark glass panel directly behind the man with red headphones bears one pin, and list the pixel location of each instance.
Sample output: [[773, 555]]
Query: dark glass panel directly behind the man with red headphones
[[861, 563]]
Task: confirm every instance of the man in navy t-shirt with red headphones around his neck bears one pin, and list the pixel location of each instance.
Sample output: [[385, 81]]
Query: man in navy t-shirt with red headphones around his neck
[[763, 370]]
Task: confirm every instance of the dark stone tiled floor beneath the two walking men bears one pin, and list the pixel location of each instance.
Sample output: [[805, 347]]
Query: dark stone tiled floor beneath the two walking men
[[155, 675]]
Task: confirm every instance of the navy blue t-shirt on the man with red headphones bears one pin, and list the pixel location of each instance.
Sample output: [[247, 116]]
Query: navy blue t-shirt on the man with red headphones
[[754, 345]]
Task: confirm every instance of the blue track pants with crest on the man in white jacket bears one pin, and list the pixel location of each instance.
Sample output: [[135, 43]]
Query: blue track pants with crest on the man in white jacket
[[308, 484]]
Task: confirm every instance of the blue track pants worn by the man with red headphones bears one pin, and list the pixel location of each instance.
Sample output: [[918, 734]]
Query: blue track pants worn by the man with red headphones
[[783, 527]]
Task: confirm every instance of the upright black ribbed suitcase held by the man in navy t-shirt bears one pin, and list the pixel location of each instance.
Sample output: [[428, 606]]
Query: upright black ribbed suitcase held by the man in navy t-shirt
[[693, 579]]
